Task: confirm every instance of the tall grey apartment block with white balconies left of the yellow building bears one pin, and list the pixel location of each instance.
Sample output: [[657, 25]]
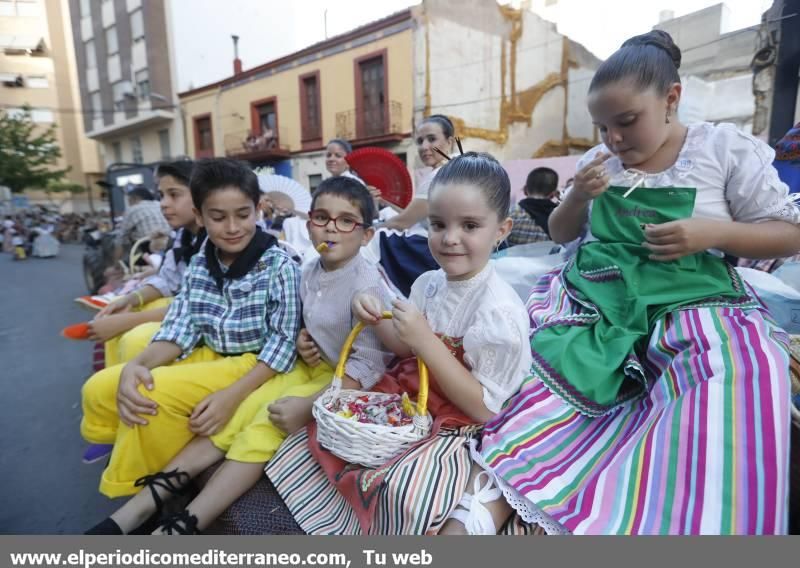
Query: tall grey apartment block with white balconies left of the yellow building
[[126, 79]]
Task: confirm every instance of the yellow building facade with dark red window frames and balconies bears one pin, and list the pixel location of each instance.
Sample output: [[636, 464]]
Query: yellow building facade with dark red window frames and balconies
[[355, 86]]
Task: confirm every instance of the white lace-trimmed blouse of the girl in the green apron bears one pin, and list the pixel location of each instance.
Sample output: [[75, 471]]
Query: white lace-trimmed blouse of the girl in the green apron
[[732, 172]]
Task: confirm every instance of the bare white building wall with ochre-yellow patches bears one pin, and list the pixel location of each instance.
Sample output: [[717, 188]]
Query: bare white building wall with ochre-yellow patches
[[512, 85]]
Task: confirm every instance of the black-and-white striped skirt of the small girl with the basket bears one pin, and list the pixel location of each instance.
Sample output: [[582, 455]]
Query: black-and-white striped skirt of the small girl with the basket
[[416, 493]]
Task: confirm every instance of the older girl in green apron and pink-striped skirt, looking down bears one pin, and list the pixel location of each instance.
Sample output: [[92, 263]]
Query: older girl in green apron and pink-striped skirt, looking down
[[658, 401]]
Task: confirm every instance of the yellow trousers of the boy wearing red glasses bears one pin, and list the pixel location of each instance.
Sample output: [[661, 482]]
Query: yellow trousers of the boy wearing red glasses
[[250, 436]]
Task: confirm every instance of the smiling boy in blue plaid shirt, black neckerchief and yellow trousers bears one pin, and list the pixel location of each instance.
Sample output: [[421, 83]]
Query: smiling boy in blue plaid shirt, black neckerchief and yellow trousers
[[232, 328]]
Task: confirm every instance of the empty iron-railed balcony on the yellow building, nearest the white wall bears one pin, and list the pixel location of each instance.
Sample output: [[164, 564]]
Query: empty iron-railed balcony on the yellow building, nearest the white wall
[[362, 128]]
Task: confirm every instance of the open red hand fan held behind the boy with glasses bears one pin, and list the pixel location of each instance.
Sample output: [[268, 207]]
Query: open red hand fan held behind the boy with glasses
[[382, 169]]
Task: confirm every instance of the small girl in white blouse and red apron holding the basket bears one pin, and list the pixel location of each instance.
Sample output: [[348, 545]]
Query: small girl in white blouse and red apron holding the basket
[[470, 329]]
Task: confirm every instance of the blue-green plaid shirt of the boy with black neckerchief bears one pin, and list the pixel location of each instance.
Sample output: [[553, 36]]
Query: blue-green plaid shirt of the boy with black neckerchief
[[257, 313]]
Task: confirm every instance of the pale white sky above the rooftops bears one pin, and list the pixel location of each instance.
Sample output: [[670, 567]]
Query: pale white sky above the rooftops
[[269, 29]]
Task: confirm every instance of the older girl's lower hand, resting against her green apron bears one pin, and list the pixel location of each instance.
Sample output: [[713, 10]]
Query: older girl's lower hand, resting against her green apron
[[676, 239]]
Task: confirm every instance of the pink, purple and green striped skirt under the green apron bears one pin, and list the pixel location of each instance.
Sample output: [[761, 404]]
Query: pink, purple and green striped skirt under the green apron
[[705, 451]]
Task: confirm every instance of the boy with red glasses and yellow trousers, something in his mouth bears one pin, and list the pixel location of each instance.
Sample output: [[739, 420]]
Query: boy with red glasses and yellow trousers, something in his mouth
[[341, 217]]
